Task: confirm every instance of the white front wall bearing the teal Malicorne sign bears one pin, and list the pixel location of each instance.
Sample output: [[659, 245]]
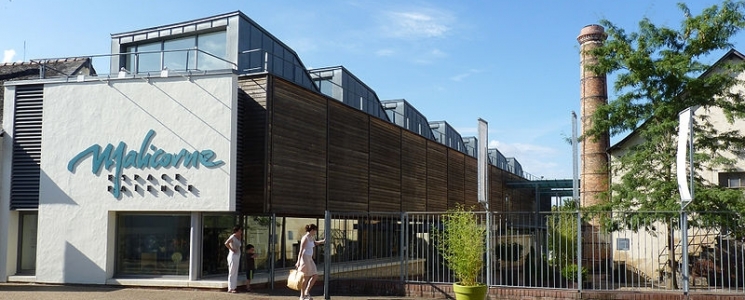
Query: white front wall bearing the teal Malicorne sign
[[76, 207]]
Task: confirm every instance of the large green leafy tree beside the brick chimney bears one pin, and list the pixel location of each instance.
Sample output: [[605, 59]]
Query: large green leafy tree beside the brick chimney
[[660, 72]]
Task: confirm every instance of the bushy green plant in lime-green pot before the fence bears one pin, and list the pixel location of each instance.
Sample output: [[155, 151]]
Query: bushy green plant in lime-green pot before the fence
[[462, 245]]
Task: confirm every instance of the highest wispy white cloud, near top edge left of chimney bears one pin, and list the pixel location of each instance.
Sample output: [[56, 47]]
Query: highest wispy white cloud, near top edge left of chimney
[[416, 24]]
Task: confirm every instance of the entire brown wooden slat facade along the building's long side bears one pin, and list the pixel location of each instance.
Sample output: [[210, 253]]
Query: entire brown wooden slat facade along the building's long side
[[310, 153]]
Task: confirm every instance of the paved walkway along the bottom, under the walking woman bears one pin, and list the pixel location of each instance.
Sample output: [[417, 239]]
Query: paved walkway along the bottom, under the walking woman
[[28, 291]]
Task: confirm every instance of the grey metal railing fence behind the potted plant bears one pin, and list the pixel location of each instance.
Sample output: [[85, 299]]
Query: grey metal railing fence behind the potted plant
[[612, 251]]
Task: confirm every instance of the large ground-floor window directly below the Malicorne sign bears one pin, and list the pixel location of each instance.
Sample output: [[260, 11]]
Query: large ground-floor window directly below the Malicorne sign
[[152, 245]]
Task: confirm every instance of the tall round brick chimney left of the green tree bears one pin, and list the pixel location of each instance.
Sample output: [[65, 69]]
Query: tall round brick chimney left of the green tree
[[593, 93]]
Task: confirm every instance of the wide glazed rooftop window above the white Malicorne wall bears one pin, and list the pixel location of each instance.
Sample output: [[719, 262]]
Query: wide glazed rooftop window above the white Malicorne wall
[[179, 54]]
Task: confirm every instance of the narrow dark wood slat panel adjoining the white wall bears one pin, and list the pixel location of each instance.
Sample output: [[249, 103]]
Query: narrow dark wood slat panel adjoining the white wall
[[252, 118]]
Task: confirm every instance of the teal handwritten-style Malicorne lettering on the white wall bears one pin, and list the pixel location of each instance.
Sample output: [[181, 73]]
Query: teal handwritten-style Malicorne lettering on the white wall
[[119, 159]]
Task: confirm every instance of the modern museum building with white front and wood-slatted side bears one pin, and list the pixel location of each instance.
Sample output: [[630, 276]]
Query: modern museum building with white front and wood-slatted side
[[138, 175]]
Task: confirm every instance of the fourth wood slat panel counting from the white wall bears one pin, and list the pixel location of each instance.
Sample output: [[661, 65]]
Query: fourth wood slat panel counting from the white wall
[[385, 166]]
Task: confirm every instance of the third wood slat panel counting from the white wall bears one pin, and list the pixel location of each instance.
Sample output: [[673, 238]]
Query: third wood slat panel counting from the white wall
[[348, 158]]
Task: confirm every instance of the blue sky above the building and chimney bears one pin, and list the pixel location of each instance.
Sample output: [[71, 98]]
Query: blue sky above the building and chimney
[[514, 64]]
